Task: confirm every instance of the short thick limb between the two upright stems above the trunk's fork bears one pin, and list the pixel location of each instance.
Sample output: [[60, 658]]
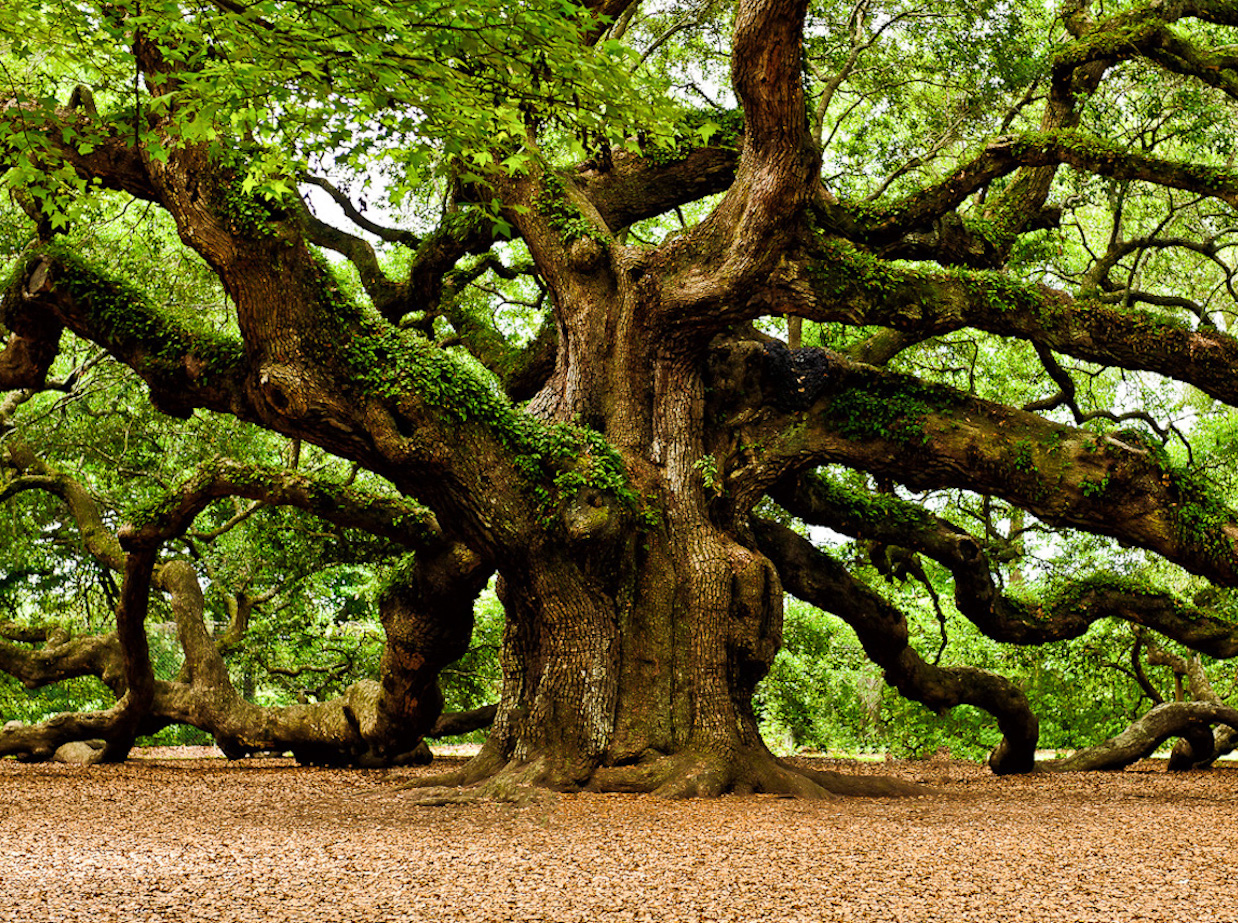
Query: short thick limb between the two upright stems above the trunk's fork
[[628, 189]]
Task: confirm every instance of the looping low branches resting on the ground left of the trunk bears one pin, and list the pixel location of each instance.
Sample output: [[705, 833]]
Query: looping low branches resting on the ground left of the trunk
[[426, 614]]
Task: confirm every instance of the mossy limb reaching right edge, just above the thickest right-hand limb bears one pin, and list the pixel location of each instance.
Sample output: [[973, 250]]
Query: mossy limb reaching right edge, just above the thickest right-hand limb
[[851, 286]]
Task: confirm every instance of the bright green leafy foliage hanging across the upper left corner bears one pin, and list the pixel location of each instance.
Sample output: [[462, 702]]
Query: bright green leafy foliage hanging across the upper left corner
[[412, 90]]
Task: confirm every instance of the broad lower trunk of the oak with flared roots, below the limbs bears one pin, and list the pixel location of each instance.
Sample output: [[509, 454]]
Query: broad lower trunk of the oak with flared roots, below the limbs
[[646, 686]]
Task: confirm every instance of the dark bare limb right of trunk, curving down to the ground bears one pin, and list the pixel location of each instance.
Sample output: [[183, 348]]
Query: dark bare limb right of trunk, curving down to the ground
[[819, 580]]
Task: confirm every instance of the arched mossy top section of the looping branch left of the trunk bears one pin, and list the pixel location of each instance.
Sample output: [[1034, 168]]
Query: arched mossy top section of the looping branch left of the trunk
[[399, 520]]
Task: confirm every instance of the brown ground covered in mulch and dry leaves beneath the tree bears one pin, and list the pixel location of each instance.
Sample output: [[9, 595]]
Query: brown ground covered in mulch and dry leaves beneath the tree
[[174, 839]]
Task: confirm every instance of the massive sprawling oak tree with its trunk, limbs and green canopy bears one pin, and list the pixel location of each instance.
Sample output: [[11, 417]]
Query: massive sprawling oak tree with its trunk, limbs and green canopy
[[737, 305]]
